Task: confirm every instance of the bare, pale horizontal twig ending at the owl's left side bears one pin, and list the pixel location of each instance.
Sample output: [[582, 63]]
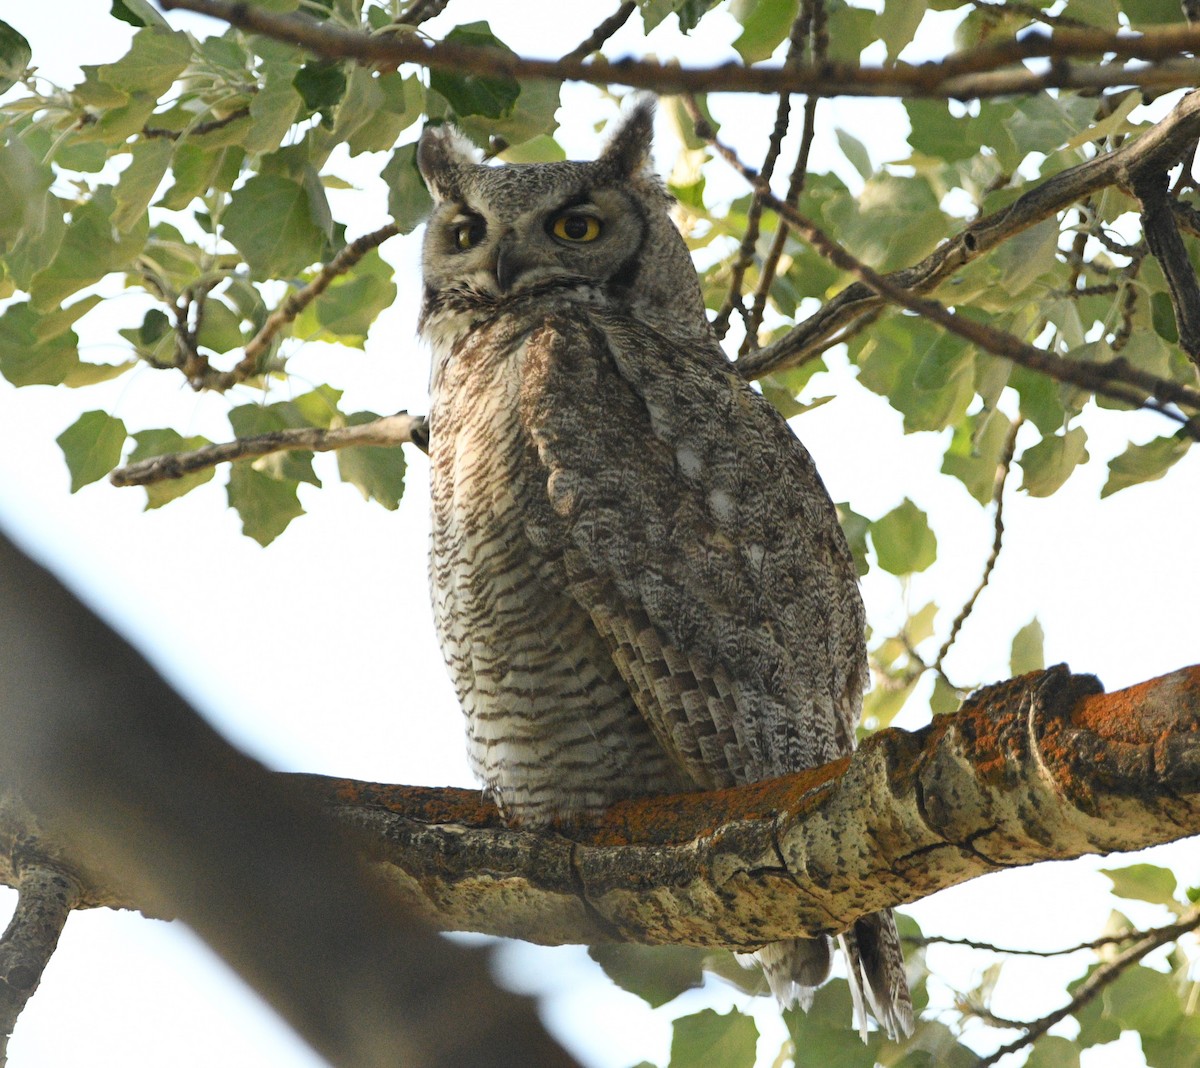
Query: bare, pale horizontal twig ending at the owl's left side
[[388, 431]]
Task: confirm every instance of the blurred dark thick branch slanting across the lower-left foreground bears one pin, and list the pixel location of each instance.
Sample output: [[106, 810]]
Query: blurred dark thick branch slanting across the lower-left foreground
[[129, 788]]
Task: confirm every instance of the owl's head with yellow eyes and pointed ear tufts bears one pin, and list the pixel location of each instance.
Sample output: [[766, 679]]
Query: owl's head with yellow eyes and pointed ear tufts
[[503, 237]]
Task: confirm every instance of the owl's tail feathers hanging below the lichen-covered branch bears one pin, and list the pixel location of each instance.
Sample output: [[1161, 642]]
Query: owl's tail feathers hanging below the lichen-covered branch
[[875, 963]]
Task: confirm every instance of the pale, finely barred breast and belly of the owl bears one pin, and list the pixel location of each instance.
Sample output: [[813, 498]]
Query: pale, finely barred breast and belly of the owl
[[553, 729]]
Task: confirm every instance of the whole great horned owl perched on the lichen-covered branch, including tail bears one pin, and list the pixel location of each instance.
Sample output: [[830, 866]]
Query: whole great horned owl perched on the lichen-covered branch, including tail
[[639, 579]]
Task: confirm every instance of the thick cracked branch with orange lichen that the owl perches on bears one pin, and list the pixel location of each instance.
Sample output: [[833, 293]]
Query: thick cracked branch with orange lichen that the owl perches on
[[1041, 767]]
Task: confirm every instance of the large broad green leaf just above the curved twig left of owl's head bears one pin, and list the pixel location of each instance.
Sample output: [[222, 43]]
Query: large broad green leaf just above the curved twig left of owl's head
[[269, 220]]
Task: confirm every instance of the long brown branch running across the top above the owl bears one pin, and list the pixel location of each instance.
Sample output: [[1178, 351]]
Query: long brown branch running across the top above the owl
[[979, 73]]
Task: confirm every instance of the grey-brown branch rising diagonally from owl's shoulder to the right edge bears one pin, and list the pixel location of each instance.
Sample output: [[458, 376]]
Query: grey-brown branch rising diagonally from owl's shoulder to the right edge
[[1157, 148]]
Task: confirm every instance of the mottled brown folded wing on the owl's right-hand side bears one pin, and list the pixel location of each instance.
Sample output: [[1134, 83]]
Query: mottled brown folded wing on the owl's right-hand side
[[697, 533]]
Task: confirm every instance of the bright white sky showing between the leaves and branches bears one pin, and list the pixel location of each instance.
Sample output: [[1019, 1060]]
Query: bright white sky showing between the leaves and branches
[[319, 655]]
